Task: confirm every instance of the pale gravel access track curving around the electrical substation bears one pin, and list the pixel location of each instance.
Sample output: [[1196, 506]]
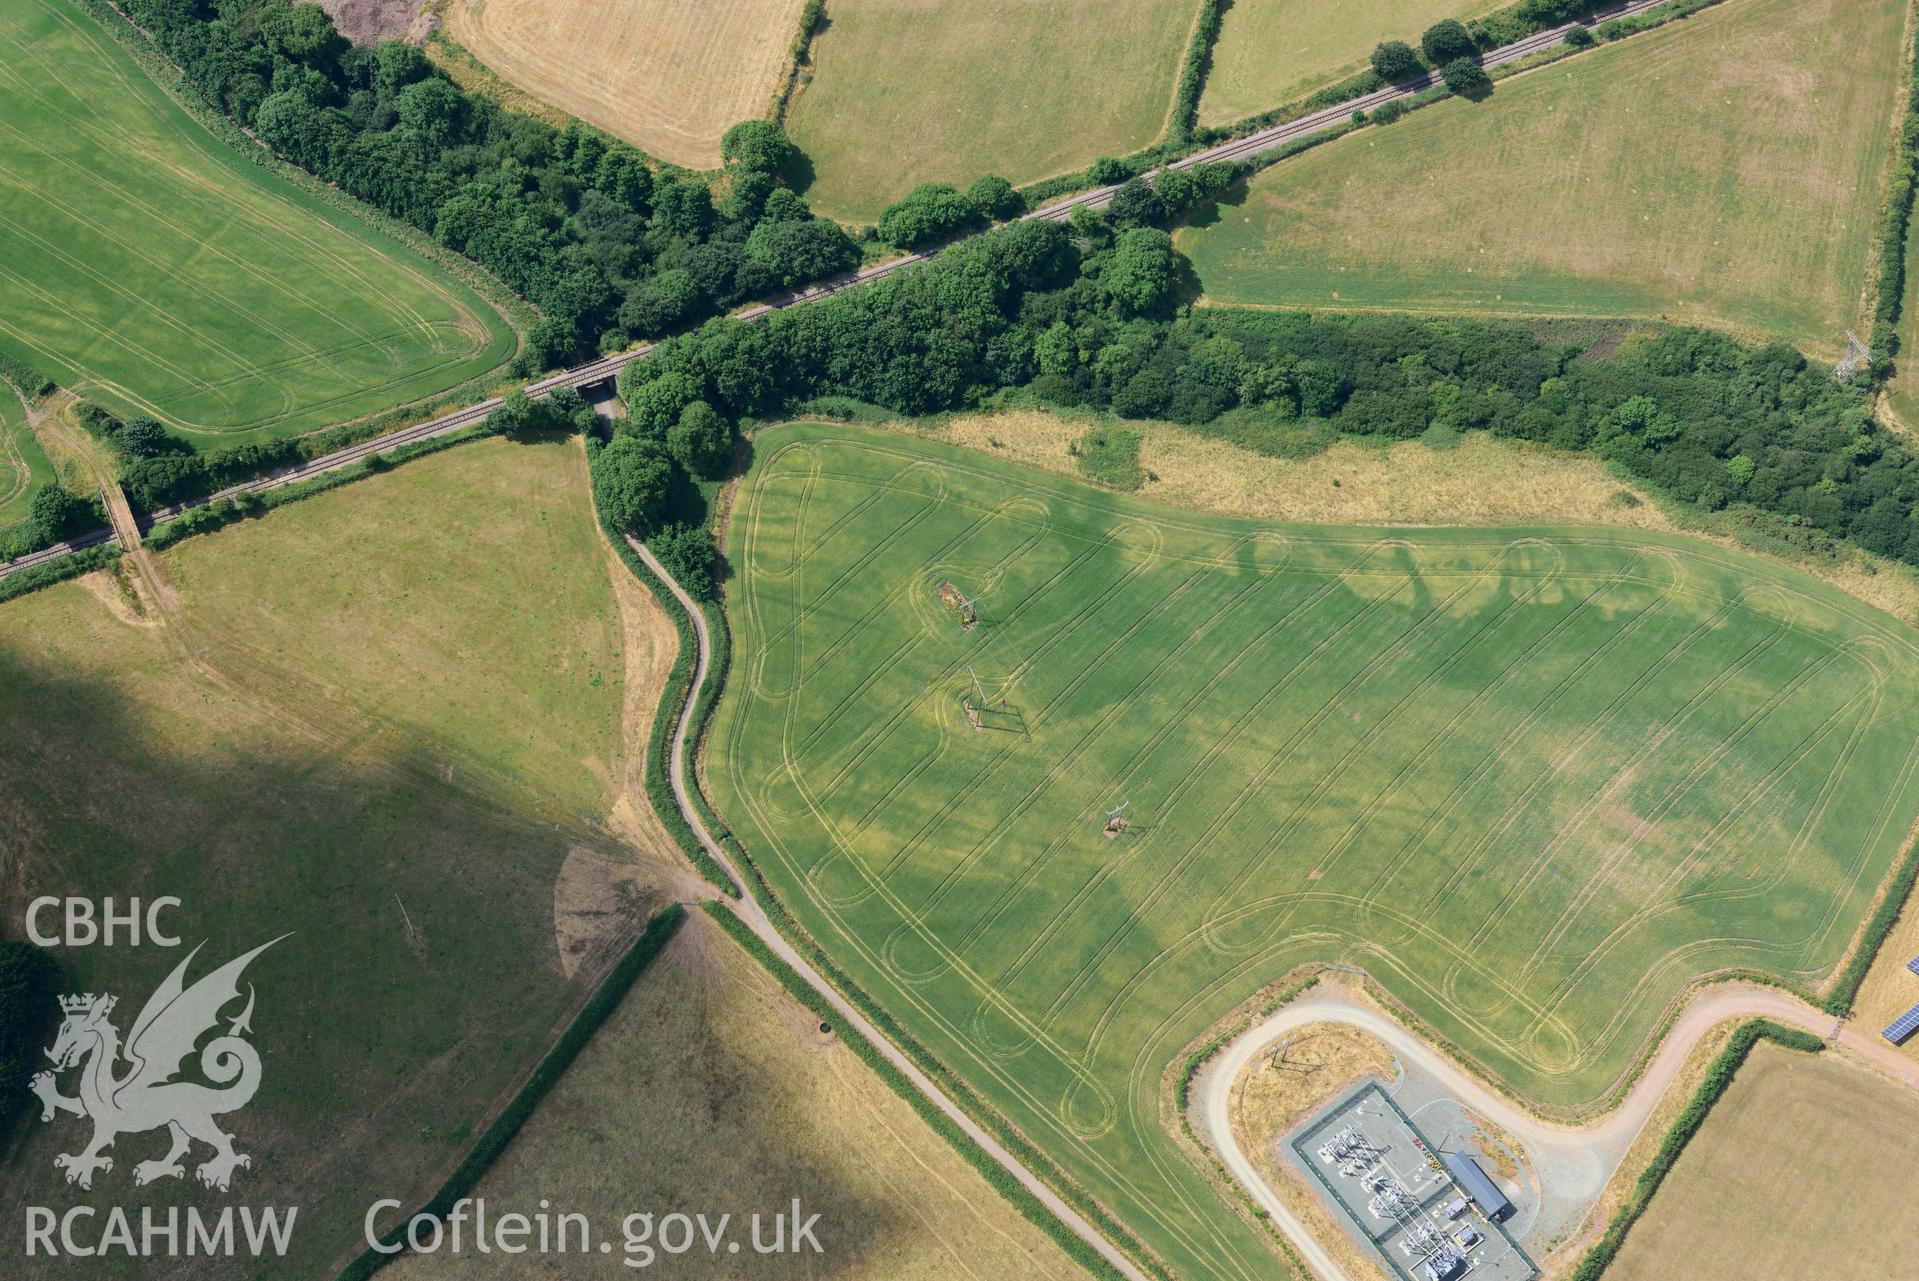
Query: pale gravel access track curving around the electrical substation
[[1586, 1155]]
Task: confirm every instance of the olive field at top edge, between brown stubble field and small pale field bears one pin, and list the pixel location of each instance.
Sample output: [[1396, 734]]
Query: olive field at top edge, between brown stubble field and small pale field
[[909, 93]]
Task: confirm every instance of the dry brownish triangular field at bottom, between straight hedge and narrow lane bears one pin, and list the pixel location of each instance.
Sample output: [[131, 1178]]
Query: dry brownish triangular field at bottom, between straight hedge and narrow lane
[[713, 1092]]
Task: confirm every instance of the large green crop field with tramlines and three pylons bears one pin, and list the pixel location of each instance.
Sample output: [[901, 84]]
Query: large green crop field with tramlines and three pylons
[[1534, 780]]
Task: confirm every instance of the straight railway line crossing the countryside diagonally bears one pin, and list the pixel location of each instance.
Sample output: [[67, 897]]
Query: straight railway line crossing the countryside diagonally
[[1099, 198]]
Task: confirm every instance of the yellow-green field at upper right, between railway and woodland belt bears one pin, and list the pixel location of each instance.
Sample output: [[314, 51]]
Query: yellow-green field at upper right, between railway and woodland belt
[[1726, 170]]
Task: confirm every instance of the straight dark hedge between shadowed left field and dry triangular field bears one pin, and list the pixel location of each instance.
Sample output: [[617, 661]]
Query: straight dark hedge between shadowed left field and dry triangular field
[[546, 1075]]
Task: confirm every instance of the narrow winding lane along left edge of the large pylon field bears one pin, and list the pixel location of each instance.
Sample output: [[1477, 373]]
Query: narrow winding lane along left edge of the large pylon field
[[755, 918]]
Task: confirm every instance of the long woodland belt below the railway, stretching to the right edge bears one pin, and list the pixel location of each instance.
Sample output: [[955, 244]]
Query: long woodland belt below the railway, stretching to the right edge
[[1089, 317]]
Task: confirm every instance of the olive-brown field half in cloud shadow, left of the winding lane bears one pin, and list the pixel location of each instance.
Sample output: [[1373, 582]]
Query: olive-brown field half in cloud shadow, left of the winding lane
[[306, 747]]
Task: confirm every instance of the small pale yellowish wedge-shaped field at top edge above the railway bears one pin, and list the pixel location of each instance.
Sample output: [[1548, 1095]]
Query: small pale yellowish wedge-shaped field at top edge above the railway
[[1271, 53]]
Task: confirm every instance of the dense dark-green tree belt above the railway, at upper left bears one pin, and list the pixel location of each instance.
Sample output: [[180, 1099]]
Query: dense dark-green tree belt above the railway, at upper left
[[575, 221]]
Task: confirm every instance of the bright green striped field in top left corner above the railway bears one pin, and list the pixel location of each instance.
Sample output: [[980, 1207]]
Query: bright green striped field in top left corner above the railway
[[160, 273]]
